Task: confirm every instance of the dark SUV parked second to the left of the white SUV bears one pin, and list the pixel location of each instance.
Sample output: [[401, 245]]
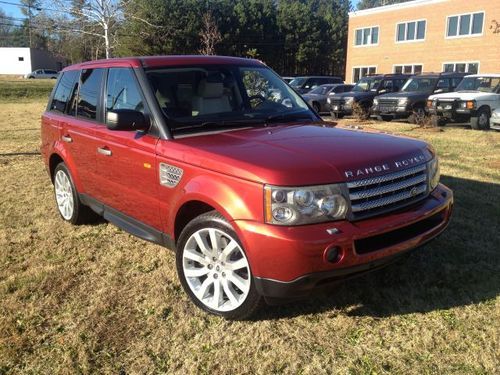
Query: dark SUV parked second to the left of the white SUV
[[364, 92]]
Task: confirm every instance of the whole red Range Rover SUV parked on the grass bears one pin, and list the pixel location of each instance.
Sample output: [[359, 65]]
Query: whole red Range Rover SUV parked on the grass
[[219, 159]]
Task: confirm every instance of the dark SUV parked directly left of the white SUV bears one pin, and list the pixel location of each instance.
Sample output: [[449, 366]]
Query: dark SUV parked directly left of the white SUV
[[411, 101]]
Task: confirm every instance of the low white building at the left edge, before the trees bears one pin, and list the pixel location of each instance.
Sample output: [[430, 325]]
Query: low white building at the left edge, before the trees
[[21, 61]]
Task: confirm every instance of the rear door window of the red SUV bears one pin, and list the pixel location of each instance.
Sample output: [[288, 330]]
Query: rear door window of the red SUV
[[90, 87]]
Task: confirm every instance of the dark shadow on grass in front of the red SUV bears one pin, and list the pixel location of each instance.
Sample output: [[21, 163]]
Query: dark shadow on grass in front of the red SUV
[[459, 268]]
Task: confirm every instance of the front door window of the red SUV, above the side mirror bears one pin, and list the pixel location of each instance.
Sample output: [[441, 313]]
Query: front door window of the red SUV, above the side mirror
[[122, 91]]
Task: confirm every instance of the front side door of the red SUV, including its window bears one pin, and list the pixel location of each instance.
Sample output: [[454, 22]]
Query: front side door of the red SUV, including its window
[[126, 171]]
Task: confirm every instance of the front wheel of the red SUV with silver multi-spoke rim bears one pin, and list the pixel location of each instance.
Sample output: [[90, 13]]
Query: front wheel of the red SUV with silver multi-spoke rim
[[214, 269]]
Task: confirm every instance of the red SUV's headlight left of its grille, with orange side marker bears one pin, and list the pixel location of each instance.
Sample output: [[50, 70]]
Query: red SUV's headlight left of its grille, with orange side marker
[[304, 205]]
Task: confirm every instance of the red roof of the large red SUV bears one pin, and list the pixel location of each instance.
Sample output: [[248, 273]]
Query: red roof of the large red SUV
[[160, 61]]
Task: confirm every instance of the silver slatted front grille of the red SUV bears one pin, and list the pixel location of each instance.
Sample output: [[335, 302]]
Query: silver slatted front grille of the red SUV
[[373, 196]]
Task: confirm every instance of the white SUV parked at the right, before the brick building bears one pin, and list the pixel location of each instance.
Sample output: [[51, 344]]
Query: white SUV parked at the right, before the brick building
[[474, 101]]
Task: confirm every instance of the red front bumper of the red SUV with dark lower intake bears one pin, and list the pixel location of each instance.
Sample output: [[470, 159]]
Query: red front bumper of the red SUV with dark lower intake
[[291, 261]]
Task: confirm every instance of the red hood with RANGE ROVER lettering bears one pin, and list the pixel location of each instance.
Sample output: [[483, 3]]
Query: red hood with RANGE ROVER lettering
[[298, 154]]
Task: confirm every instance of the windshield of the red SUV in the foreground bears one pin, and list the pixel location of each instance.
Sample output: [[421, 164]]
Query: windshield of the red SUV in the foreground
[[213, 95]]
